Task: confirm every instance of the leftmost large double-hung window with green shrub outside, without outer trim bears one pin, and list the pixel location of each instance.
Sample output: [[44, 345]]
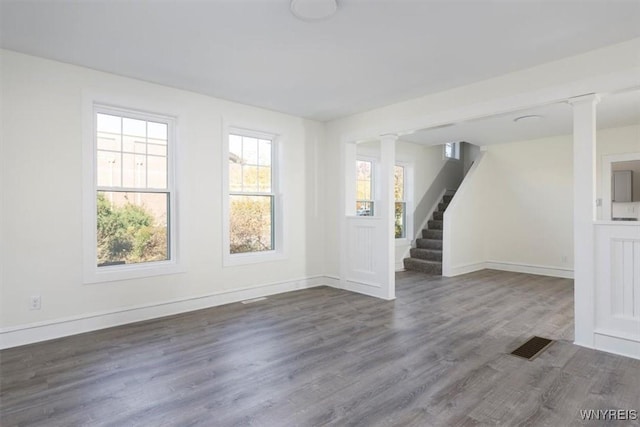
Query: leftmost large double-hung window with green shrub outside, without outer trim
[[133, 192]]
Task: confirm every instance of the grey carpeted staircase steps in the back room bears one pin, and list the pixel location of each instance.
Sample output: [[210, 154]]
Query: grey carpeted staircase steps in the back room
[[427, 255]]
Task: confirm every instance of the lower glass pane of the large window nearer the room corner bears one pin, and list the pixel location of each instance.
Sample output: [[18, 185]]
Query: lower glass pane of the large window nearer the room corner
[[251, 224]]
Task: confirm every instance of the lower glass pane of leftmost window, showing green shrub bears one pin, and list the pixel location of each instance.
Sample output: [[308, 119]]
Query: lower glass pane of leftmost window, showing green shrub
[[132, 227]]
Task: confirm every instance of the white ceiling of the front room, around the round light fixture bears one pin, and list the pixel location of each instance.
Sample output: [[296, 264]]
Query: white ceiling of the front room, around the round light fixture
[[371, 53]]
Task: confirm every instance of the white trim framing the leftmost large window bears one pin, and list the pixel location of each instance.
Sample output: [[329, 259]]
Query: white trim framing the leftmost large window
[[91, 272]]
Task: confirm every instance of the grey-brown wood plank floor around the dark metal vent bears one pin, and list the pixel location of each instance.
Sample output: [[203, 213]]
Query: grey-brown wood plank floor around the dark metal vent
[[436, 356]]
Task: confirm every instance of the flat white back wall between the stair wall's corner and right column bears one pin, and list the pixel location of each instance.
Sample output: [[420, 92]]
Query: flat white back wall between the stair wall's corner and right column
[[532, 204]]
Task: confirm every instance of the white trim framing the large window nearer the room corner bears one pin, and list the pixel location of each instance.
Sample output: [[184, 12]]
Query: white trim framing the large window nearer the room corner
[[279, 253]]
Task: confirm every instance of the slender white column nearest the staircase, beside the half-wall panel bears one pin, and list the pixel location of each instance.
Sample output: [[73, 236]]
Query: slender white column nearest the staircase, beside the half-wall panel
[[387, 208]]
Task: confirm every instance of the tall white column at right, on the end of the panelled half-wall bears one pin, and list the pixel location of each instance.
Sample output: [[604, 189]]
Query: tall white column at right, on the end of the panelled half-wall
[[584, 214]]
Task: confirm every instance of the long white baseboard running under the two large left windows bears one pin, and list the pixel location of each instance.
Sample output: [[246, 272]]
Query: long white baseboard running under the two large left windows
[[47, 330]]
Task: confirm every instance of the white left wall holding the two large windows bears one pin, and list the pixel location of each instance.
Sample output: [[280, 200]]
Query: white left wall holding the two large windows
[[41, 175]]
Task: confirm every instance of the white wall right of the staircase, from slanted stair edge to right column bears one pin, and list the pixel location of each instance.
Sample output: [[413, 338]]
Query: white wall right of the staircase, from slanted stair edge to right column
[[514, 211]]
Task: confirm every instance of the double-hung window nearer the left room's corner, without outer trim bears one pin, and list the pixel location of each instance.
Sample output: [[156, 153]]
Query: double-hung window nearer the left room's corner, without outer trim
[[252, 200]]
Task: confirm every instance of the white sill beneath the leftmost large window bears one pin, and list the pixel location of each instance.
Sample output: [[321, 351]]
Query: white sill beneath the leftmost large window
[[114, 273]]
